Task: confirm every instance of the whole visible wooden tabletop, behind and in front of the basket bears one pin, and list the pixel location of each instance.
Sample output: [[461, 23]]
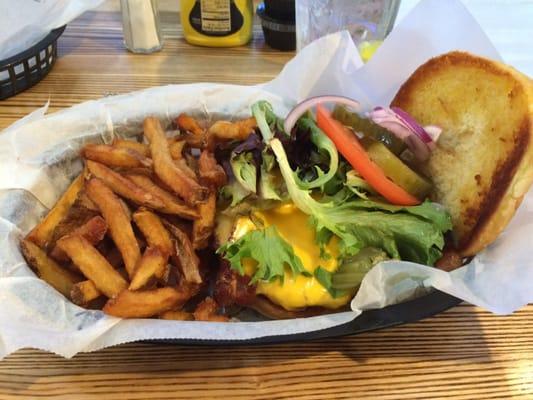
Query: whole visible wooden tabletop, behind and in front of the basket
[[464, 353]]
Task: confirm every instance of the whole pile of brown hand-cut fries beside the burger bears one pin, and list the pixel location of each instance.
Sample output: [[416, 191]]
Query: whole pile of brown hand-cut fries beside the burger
[[158, 197]]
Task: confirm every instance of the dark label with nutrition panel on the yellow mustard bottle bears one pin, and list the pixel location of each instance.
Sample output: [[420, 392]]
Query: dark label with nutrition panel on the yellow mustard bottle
[[216, 17]]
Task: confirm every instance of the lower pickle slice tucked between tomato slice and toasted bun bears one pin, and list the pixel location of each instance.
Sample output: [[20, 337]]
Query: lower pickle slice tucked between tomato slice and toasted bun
[[396, 170]]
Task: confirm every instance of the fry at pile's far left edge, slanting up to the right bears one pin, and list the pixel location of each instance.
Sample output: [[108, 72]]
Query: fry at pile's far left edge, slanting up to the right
[[42, 233]]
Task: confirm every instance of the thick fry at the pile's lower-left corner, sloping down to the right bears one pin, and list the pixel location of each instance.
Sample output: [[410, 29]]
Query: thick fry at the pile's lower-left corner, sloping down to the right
[[47, 269]]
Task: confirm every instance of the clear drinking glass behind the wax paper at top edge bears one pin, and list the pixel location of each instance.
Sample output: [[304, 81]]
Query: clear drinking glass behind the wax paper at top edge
[[368, 21]]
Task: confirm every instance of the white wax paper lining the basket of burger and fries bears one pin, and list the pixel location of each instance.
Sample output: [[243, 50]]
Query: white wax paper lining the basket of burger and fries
[[39, 157]]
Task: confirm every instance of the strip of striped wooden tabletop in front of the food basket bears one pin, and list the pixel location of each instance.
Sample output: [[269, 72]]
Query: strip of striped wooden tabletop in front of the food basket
[[463, 353]]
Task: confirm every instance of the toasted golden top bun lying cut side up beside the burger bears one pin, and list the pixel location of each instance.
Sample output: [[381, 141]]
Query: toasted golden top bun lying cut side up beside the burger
[[483, 164]]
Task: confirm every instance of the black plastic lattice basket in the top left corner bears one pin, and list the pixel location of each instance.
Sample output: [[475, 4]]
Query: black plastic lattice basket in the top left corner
[[23, 70]]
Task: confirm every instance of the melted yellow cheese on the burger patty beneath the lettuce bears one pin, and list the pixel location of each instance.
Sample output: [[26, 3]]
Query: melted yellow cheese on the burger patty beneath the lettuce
[[300, 291]]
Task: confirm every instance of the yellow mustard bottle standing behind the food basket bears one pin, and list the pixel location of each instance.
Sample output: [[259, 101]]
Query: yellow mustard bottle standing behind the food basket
[[217, 23]]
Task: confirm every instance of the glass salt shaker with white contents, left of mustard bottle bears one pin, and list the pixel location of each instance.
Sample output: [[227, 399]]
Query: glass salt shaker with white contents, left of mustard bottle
[[140, 22]]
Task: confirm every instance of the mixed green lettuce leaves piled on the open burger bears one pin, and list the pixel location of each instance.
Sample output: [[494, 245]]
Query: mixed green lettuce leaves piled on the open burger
[[306, 170]]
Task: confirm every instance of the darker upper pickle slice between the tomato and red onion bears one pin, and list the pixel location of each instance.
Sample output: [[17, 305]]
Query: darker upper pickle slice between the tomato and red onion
[[368, 129]]
